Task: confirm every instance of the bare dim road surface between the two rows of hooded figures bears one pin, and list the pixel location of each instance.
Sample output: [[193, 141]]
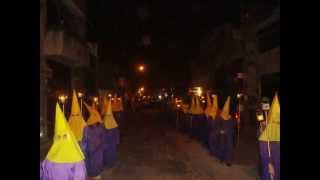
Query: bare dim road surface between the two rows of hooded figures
[[151, 148]]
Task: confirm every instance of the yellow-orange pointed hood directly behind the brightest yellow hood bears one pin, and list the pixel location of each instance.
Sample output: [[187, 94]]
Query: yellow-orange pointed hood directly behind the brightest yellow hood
[[76, 121]]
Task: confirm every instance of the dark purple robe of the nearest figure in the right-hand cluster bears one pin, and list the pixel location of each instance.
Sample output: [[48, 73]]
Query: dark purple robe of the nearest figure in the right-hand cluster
[[225, 139]]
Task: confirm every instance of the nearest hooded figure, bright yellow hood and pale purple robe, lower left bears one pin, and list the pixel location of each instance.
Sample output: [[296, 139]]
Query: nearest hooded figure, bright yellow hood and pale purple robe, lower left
[[65, 159]]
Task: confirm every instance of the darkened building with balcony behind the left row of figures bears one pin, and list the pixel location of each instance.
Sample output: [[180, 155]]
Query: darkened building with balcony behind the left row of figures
[[67, 59]]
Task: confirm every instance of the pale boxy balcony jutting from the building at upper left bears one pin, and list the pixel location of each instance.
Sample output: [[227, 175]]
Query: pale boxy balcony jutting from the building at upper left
[[65, 49]]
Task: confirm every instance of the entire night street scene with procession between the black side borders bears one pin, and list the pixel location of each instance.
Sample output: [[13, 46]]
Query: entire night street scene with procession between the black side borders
[[159, 90]]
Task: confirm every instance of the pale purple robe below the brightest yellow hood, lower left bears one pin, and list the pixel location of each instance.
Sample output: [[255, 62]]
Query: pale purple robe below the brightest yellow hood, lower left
[[62, 171]]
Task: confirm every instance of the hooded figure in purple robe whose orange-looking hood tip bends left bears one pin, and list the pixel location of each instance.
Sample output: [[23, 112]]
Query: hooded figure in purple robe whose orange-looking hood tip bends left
[[93, 142]]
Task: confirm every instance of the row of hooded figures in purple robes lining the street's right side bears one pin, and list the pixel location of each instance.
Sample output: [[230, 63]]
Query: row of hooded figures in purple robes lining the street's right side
[[218, 130]]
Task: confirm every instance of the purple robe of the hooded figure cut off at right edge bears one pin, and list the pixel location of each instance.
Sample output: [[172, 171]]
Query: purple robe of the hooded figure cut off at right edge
[[265, 160]]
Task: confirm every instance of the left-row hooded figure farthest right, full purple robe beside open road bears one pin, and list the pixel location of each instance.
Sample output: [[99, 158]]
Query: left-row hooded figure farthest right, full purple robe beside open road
[[112, 137]]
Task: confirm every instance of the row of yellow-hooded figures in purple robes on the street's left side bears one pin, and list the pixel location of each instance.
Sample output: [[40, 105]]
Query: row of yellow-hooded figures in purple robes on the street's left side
[[83, 149]]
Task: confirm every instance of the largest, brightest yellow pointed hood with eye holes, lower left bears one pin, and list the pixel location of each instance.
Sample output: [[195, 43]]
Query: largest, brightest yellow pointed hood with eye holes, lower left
[[65, 148]]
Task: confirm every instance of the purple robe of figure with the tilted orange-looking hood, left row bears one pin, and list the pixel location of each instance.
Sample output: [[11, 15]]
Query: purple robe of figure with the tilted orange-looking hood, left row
[[92, 142]]
